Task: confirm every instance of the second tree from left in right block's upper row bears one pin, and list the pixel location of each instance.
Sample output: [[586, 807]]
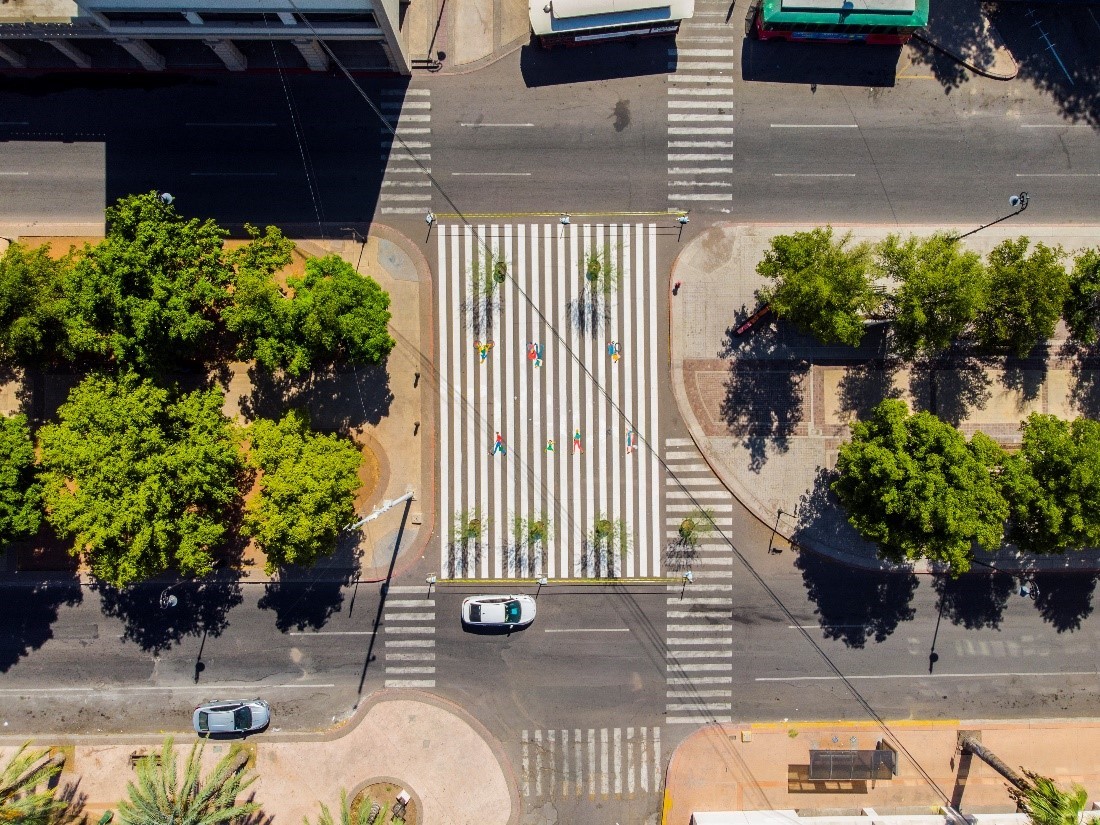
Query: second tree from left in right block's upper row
[[941, 291]]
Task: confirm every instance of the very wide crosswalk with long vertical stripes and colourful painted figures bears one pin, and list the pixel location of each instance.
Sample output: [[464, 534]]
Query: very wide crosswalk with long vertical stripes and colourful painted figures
[[574, 490]]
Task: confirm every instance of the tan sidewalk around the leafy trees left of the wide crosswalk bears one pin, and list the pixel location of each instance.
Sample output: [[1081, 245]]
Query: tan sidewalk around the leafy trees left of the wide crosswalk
[[391, 411]]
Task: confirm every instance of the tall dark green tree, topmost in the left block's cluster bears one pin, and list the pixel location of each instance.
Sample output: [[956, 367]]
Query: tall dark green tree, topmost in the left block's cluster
[[150, 293]]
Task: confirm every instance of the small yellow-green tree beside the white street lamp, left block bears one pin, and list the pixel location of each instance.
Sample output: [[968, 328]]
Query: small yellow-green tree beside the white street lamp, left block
[[307, 490]]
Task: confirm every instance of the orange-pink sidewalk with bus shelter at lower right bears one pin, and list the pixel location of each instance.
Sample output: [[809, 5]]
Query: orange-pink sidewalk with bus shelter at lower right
[[765, 767]]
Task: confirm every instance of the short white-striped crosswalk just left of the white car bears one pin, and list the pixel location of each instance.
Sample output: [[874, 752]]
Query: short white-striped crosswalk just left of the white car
[[409, 622]]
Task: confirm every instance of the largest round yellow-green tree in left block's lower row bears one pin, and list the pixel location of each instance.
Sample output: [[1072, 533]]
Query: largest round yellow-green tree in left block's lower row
[[139, 478]]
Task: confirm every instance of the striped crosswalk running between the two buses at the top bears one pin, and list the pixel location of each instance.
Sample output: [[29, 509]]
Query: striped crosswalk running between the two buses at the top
[[701, 111]]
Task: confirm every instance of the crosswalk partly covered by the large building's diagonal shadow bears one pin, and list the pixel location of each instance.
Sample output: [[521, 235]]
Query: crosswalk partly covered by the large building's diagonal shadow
[[405, 188]]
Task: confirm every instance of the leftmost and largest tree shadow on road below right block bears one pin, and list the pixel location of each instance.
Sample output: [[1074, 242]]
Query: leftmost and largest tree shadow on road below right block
[[854, 606]]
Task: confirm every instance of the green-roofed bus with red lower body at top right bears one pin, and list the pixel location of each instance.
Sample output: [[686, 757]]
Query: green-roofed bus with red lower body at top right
[[838, 21]]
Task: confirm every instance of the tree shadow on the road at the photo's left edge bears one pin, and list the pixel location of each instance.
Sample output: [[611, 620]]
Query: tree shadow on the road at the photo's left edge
[[28, 611]]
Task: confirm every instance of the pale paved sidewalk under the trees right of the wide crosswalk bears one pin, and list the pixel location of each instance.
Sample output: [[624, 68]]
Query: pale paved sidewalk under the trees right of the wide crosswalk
[[768, 410]]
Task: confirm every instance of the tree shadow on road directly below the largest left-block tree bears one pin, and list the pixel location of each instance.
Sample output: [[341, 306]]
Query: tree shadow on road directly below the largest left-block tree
[[202, 608]]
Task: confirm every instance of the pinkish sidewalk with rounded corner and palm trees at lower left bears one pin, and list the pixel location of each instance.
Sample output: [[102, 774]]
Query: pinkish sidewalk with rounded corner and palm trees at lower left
[[415, 741]]
